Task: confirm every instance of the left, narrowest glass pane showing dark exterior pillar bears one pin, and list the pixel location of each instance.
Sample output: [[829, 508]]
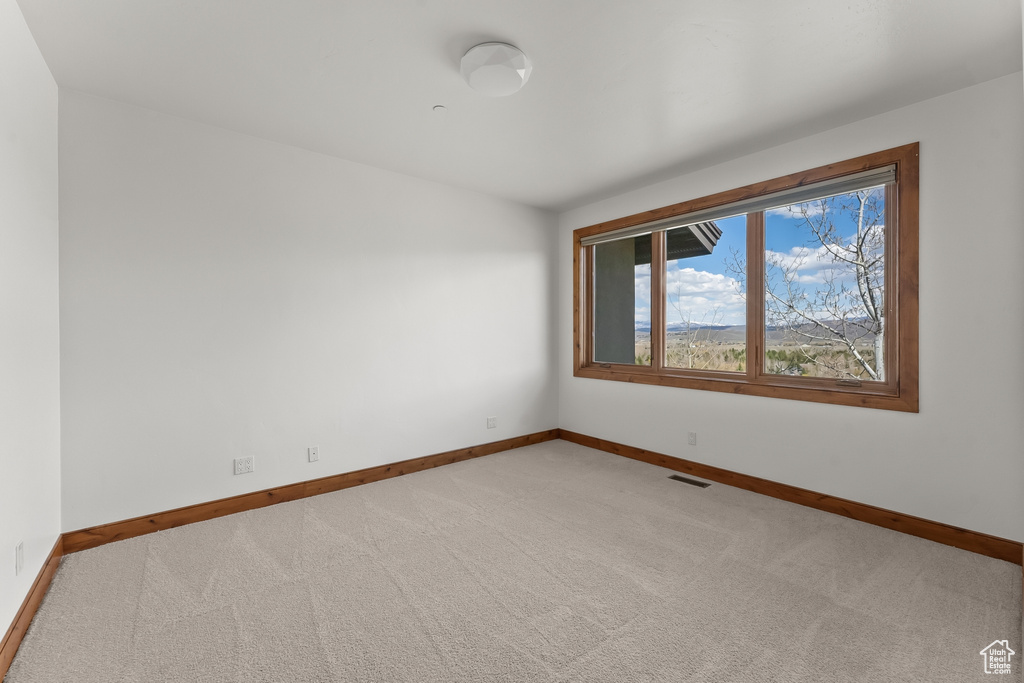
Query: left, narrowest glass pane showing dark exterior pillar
[[622, 302]]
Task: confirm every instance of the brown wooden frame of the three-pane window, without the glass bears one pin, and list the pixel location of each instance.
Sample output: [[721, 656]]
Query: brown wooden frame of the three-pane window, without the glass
[[898, 393]]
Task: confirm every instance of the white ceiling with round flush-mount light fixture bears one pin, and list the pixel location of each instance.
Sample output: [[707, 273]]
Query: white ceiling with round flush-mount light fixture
[[623, 93]]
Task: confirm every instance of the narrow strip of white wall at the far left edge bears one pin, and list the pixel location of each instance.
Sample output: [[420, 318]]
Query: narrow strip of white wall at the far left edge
[[30, 404]]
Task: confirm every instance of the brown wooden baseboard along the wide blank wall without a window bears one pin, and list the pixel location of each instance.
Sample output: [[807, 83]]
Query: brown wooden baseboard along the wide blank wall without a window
[[99, 536]]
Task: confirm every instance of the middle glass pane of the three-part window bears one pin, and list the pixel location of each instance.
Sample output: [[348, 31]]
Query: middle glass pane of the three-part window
[[706, 310]]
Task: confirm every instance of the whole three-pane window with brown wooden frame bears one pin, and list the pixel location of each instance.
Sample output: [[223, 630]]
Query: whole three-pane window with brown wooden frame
[[804, 287]]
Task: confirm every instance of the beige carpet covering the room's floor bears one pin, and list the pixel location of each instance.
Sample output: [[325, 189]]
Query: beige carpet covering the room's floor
[[548, 564]]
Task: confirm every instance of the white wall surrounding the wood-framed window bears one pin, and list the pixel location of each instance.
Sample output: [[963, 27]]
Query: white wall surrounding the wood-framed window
[[960, 460]]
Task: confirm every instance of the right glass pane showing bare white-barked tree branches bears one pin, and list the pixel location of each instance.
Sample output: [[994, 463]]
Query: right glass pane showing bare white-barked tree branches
[[825, 282]]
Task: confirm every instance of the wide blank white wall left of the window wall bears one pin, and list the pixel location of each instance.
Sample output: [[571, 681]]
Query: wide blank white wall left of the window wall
[[225, 296]]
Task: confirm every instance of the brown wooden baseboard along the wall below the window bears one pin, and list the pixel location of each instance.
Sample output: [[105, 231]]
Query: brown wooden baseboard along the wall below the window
[[984, 544]]
